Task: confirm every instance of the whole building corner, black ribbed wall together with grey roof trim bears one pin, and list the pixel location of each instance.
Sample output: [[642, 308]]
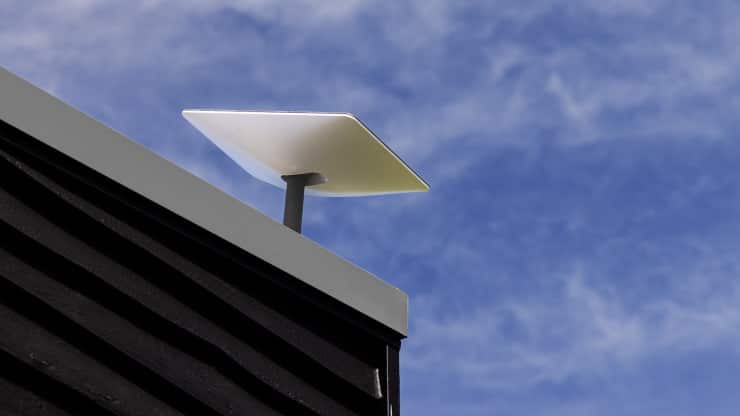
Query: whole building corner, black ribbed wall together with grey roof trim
[[130, 287]]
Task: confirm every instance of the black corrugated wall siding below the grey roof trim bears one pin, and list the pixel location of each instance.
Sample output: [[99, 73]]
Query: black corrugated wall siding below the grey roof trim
[[110, 303]]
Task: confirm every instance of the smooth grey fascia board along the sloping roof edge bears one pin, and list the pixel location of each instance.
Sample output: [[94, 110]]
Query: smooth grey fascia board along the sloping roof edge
[[108, 152]]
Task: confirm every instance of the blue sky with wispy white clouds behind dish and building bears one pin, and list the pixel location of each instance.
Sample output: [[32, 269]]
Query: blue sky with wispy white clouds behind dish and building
[[577, 253]]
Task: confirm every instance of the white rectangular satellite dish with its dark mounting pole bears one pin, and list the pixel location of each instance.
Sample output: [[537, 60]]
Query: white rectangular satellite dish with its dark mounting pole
[[323, 154]]
